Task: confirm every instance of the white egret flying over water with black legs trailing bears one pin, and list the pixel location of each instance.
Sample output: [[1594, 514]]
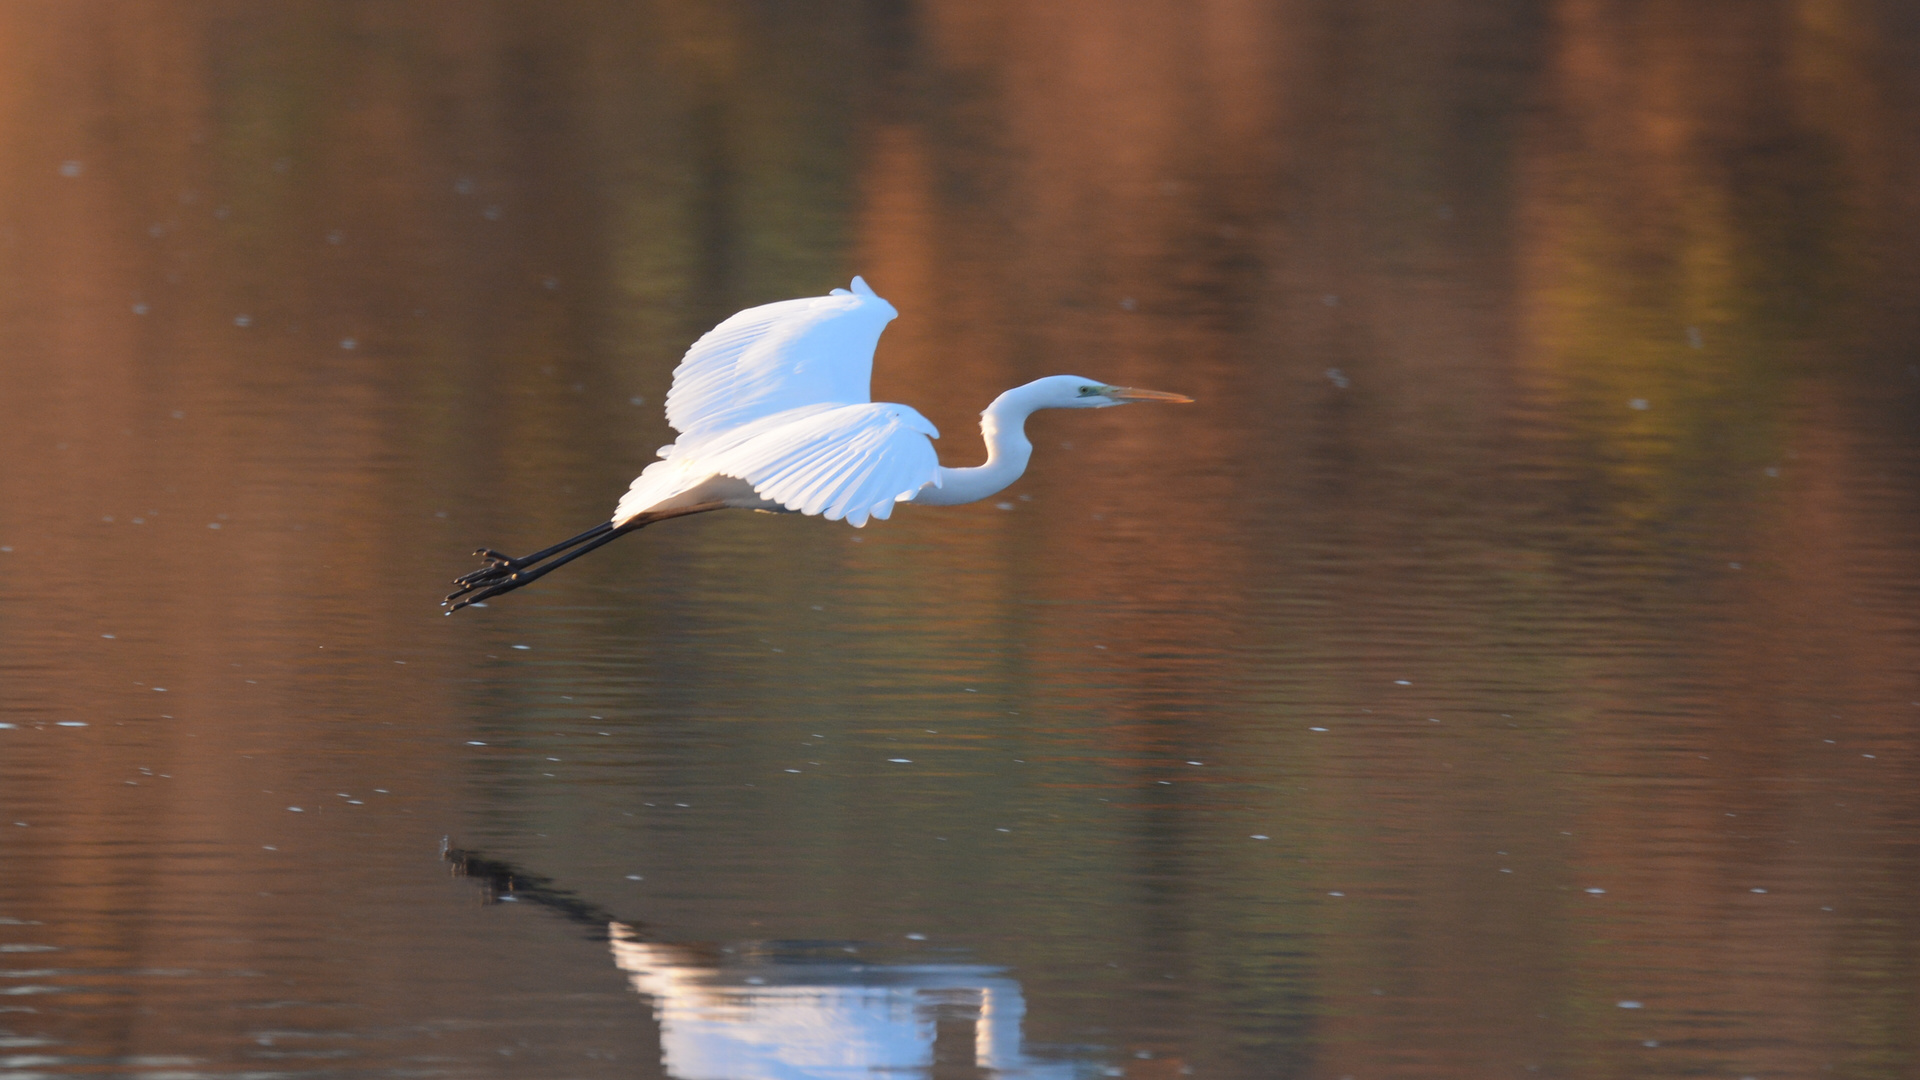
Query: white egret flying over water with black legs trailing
[[775, 414]]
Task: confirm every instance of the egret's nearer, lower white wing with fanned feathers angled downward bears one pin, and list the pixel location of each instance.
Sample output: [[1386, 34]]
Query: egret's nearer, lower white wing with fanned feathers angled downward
[[850, 462]]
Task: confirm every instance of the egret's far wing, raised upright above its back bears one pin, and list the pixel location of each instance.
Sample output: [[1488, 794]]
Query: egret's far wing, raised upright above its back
[[777, 358]]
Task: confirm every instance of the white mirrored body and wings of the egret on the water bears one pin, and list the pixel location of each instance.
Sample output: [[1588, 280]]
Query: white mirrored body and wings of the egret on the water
[[788, 1019]]
